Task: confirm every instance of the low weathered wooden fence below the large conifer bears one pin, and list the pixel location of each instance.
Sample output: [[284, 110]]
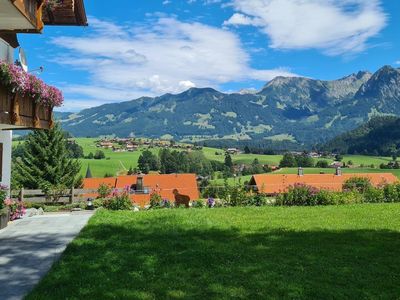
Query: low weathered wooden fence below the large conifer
[[68, 196]]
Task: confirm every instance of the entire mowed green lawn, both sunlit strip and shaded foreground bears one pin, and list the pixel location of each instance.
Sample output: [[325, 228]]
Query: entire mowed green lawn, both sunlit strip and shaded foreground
[[344, 252]]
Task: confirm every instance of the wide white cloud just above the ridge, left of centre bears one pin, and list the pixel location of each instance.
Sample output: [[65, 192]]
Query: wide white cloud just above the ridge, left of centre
[[160, 57]]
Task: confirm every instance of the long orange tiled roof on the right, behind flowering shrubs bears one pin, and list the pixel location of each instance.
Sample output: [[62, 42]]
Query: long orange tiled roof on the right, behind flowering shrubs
[[278, 183]]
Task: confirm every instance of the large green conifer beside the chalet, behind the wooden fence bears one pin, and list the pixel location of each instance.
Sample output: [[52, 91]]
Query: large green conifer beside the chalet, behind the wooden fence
[[46, 161]]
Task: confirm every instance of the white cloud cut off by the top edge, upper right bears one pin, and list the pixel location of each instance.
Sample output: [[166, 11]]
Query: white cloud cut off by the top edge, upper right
[[333, 26]]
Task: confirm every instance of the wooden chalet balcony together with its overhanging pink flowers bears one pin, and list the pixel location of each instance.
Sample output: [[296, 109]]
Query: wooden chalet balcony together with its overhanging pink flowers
[[25, 100]]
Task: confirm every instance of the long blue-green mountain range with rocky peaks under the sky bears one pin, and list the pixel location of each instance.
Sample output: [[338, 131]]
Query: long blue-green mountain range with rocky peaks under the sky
[[297, 110]]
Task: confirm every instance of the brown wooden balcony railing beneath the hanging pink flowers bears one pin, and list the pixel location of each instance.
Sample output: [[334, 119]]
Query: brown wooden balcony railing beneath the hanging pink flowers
[[22, 112]]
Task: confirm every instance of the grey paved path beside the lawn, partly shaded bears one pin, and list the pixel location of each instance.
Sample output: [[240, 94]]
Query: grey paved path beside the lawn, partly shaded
[[28, 248]]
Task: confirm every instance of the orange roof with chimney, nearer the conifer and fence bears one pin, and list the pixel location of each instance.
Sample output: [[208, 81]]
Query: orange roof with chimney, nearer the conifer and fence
[[142, 186]]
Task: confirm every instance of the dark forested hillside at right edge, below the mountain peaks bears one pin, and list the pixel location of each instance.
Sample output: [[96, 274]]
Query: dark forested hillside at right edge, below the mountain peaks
[[379, 137]]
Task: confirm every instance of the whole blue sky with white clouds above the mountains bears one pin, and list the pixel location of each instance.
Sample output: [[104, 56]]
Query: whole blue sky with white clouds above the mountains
[[148, 48]]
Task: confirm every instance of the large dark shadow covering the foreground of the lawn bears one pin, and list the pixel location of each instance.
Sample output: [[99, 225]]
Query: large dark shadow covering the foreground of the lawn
[[143, 260]]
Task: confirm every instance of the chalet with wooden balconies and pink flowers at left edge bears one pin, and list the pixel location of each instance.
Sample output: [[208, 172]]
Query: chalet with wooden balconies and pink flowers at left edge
[[18, 108]]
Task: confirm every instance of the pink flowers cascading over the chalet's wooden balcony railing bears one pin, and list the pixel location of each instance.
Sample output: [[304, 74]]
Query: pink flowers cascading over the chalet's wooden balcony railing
[[18, 81]]
